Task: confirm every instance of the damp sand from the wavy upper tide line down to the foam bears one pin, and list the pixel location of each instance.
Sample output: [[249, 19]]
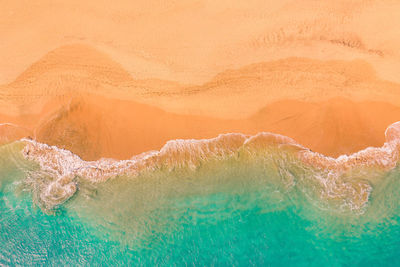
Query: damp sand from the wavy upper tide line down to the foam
[[79, 99]]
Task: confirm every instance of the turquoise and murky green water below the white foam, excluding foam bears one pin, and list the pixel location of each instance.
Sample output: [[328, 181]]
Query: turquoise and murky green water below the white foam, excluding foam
[[227, 213]]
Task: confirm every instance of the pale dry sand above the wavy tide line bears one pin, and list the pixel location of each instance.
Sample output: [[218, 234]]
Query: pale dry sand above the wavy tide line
[[190, 41]]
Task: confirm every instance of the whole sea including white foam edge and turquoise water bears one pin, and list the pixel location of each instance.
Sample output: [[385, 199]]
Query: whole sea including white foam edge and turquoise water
[[232, 201]]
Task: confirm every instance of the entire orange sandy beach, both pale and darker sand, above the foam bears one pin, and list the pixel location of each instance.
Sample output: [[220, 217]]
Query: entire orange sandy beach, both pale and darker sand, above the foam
[[139, 74]]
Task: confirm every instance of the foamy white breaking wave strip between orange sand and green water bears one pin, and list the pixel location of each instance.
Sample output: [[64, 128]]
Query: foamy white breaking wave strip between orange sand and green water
[[345, 181]]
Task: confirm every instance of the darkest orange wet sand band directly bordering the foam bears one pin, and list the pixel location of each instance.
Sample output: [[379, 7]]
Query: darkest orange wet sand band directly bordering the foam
[[94, 127]]
